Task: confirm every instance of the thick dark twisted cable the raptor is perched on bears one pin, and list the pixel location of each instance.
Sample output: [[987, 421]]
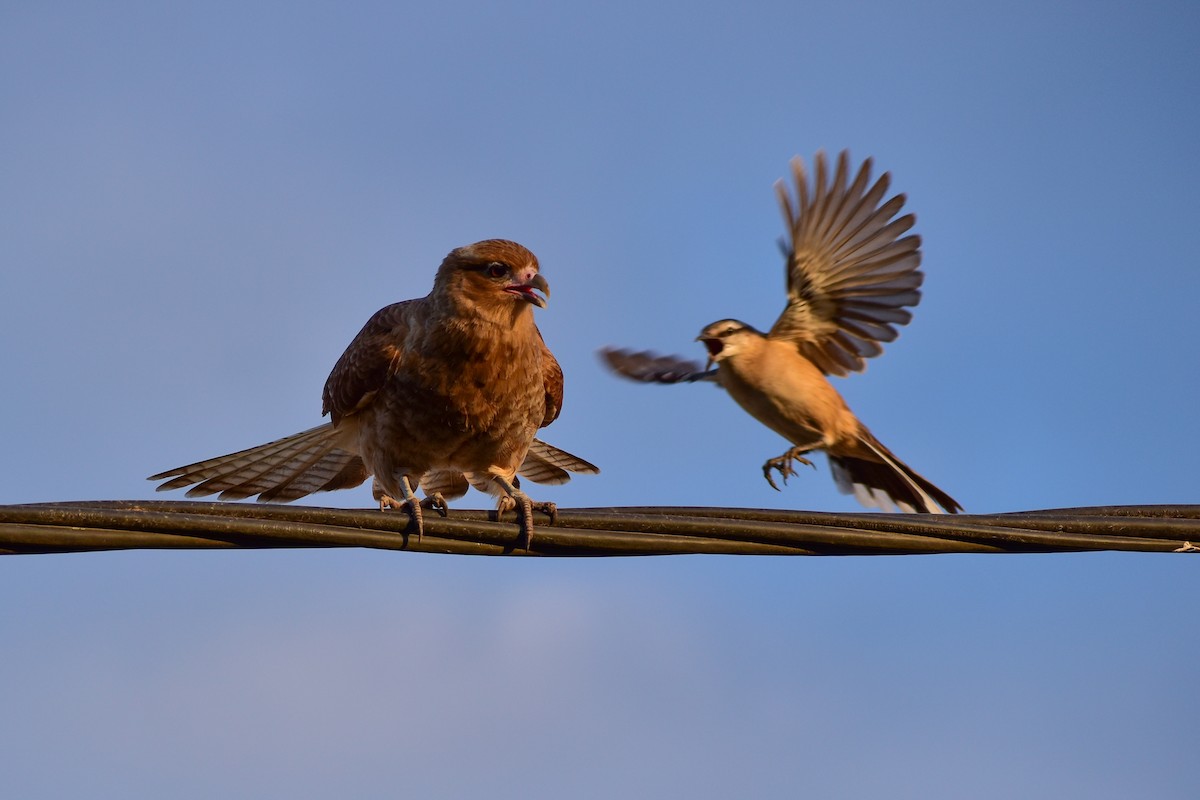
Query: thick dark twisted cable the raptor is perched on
[[111, 526]]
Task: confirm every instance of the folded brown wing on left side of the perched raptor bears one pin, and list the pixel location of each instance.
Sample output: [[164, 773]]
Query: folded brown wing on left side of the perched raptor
[[371, 358]]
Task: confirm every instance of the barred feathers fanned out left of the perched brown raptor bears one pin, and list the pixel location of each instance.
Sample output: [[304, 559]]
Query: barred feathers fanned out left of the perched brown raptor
[[281, 471]]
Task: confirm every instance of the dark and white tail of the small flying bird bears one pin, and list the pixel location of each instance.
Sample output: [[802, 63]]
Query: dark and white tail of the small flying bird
[[889, 484]]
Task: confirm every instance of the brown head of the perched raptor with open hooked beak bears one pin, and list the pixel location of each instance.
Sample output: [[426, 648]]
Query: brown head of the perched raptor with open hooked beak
[[494, 275]]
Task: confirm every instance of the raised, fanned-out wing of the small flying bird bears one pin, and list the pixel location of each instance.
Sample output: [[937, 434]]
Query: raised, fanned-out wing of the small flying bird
[[851, 272]]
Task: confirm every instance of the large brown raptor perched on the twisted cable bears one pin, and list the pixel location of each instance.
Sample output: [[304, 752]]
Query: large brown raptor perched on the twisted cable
[[437, 393]]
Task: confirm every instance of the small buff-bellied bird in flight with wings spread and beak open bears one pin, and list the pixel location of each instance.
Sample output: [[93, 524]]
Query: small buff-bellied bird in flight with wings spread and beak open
[[851, 274]]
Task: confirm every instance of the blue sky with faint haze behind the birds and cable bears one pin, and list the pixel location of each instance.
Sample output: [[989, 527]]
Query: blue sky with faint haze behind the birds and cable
[[200, 207]]
